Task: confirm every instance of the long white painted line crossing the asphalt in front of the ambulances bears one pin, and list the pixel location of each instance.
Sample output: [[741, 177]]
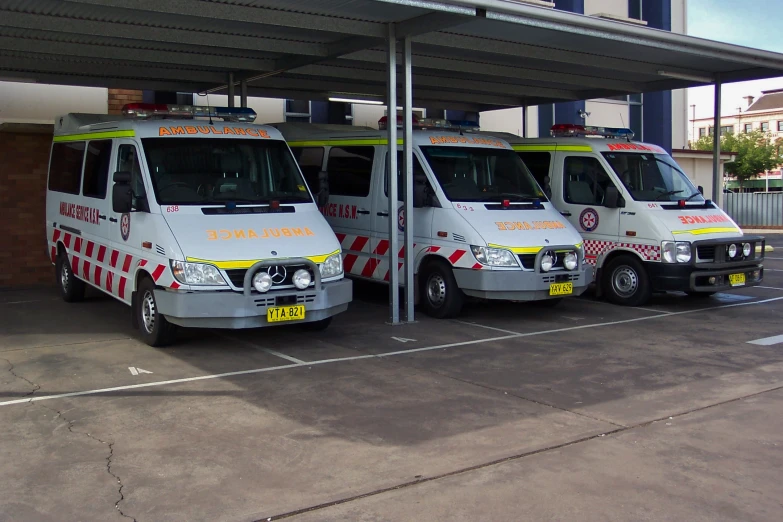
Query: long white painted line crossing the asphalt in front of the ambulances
[[368, 356]]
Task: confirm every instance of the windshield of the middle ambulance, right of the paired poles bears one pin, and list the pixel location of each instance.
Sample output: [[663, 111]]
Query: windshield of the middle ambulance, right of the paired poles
[[477, 174]]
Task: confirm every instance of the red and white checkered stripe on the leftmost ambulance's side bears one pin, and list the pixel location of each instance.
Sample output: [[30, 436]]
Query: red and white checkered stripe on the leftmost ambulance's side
[[105, 267]]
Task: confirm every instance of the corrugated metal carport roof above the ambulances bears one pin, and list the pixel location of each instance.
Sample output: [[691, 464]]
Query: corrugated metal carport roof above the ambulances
[[473, 55]]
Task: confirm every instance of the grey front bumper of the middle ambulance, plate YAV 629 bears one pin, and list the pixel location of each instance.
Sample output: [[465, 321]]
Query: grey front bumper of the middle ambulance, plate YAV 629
[[519, 285]]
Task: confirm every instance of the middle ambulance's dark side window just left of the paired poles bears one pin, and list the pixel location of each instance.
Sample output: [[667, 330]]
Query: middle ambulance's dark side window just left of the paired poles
[[350, 170]]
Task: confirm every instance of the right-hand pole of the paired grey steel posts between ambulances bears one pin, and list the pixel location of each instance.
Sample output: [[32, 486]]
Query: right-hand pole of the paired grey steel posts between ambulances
[[407, 169]]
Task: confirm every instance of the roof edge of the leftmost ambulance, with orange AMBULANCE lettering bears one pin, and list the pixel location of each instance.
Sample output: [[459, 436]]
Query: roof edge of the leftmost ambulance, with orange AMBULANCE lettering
[[115, 126]]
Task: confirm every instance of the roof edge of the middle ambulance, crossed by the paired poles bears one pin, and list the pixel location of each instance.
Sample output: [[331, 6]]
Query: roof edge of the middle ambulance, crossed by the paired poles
[[315, 135]]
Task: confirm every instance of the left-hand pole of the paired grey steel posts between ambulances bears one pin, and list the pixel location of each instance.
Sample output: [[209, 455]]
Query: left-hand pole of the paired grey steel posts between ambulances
[[391, 168]]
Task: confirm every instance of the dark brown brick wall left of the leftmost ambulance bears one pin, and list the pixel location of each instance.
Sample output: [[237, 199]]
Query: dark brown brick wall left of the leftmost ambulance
[[24, 161]]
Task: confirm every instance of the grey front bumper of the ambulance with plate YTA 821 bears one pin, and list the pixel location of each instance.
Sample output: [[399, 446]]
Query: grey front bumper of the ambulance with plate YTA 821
[[229, 309]]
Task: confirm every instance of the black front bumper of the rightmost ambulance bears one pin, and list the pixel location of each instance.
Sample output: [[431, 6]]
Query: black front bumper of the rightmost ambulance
[[671, 277]]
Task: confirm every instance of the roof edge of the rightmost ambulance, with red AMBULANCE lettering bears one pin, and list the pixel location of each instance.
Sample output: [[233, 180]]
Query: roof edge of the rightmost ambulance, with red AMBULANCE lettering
[[582, 144]]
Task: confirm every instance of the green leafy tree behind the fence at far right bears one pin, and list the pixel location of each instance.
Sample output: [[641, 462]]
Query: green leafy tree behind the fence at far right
[[755, 151]]
